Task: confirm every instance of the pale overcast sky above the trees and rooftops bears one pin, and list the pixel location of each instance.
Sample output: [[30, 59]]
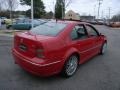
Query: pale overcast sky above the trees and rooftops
[[85, 7]]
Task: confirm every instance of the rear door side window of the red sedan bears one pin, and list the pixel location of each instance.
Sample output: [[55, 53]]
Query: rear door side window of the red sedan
[[78, 32]]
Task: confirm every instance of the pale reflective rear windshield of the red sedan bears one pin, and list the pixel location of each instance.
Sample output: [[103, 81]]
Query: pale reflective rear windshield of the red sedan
[[48, 29]]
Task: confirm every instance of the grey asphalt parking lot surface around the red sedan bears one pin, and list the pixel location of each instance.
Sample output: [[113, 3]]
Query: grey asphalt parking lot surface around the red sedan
[[100, 73]]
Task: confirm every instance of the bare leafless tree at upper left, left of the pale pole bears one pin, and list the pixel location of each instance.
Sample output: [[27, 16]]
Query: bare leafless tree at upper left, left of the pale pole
[[12, 5]]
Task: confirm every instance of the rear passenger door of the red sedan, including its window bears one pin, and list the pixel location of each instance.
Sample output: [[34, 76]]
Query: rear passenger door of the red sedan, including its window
[[82, 42]]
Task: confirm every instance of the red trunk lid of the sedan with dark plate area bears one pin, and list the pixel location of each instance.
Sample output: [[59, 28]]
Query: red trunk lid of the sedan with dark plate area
[[25, 44]]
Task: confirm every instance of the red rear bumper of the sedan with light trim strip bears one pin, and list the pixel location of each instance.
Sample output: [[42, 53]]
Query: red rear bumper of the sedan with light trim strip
[[37, 66]]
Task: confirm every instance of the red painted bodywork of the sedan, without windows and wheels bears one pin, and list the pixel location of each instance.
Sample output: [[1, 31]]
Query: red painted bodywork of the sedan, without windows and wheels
[[55, 49]]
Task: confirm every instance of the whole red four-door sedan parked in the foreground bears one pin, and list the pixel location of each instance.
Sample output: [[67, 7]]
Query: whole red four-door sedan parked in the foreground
[[55, 47]]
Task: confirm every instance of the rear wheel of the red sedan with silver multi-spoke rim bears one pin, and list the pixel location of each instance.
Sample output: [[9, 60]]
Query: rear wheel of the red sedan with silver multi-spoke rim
[[70, 66]]
